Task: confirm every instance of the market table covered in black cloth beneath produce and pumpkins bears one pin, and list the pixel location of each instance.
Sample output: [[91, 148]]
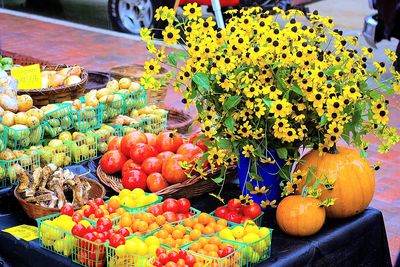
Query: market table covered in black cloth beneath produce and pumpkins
[[358, 241]]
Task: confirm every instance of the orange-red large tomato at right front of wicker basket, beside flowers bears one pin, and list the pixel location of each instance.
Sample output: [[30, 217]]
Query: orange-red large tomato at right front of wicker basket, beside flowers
[[172, 171]]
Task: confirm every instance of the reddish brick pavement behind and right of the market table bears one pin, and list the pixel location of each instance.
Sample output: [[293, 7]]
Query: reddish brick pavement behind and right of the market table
[[97, 51]]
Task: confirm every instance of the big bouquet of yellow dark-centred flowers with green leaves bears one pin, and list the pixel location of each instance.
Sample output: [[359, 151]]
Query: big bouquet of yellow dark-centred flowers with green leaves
[[268, 82]]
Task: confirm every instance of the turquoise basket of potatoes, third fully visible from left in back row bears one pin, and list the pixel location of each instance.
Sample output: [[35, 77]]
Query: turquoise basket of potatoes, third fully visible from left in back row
[[87, 119]]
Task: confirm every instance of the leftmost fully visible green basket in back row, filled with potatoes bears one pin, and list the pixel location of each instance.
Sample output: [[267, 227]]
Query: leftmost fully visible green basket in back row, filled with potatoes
[[24, 138]]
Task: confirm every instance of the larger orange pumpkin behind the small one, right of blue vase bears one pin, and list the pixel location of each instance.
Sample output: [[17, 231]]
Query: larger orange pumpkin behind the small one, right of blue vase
[[352, 178]]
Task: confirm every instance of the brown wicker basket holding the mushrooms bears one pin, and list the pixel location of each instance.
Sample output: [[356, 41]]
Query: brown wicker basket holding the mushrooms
[[35, 211]]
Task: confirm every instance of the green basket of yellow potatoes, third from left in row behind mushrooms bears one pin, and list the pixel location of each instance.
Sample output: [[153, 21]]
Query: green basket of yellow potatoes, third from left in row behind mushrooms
[[83, 149]]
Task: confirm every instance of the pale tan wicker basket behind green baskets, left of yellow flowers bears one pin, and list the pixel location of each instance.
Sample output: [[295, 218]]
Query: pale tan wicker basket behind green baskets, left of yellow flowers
[[135, 72]]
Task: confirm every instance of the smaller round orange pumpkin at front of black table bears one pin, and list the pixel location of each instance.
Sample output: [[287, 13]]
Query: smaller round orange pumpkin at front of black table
[[300, 216]]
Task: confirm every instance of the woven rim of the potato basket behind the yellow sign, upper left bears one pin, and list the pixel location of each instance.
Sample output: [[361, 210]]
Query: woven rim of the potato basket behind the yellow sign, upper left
[[84, 78]]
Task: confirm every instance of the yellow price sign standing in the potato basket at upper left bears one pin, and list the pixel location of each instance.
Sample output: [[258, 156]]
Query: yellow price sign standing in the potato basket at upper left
[[28, 77]]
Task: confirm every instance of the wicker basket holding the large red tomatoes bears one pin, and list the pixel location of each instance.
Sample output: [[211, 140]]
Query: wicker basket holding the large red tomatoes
[[193, 187]]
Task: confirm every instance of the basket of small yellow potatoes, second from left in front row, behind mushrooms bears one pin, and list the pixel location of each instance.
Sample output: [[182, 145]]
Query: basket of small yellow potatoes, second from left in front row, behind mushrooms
[[59, 155]]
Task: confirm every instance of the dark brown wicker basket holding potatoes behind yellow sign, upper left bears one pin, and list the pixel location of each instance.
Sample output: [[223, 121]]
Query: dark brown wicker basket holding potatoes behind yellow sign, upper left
[[45, 96]]
